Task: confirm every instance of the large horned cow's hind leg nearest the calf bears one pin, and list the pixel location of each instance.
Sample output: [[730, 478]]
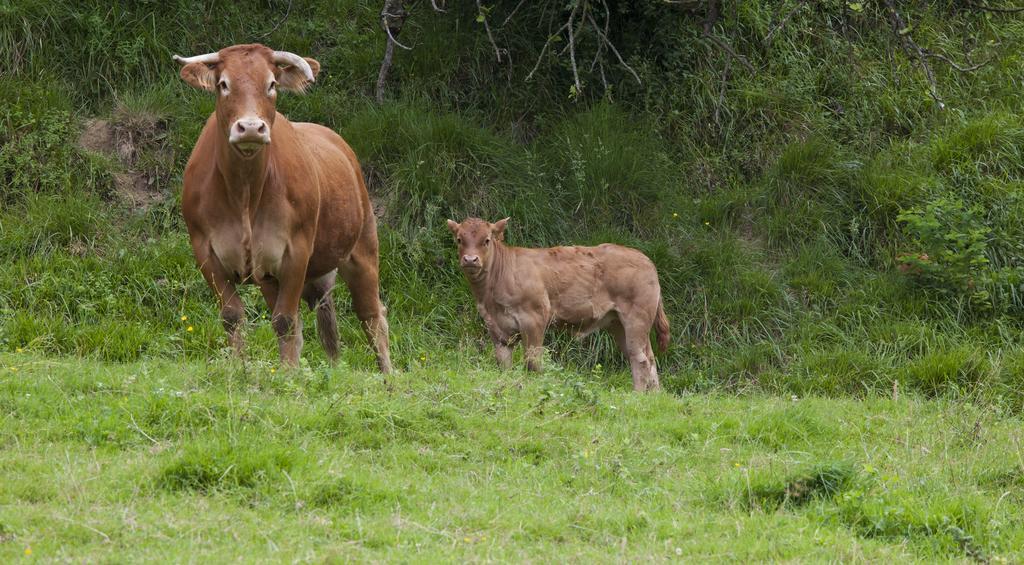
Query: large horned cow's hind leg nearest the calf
[[363, 279]]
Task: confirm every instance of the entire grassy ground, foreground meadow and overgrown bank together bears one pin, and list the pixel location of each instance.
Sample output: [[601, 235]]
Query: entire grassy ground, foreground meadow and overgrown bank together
[[840, 255]]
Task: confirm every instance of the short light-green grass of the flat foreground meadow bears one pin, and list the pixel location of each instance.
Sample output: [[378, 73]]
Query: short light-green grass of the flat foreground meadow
[[221, 461]]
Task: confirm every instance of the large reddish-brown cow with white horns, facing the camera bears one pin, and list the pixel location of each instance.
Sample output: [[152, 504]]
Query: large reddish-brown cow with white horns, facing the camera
[[288, 215]]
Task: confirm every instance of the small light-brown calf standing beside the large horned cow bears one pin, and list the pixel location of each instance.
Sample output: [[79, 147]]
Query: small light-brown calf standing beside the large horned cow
[[521, 292]]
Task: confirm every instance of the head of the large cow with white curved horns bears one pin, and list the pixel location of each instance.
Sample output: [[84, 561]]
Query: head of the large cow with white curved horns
[[246, 80]]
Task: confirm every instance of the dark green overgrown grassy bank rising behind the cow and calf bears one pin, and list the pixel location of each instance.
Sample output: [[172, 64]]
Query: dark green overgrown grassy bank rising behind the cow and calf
[[771, 203]]
